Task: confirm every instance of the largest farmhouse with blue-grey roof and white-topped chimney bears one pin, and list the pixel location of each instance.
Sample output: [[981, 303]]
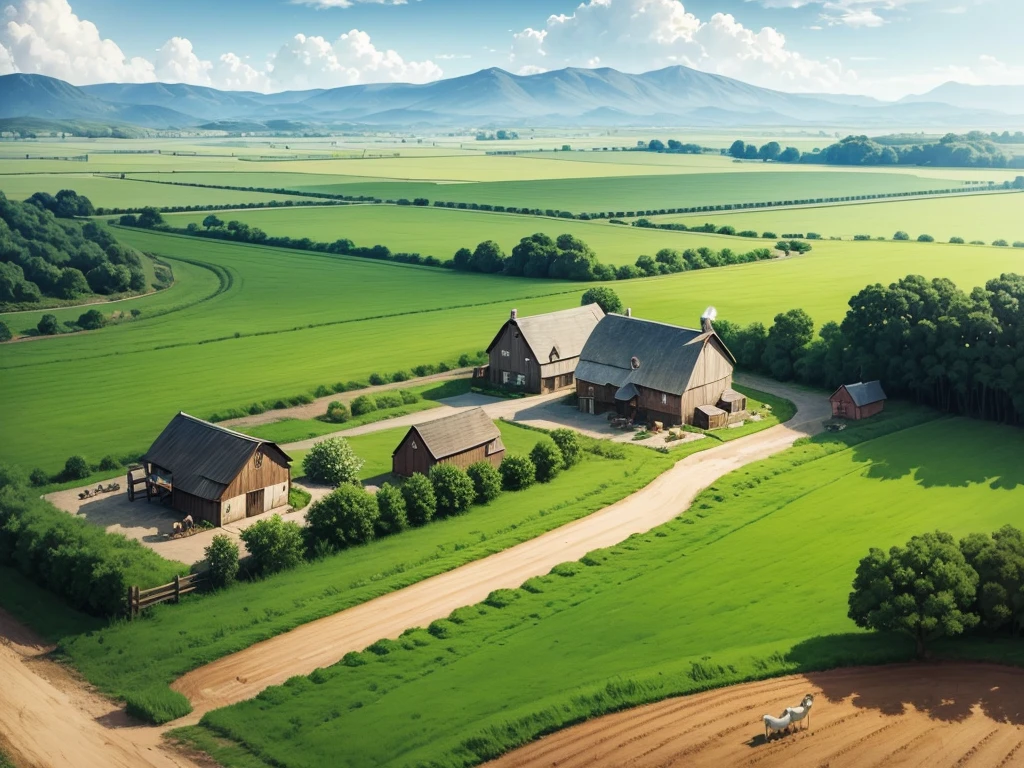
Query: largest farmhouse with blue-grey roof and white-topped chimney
[[656, 372]]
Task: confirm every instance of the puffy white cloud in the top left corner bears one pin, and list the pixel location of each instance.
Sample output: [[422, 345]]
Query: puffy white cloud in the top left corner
[[46, 37]]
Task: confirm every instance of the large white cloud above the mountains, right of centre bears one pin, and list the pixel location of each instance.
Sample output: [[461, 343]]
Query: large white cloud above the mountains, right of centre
[[652, 34]]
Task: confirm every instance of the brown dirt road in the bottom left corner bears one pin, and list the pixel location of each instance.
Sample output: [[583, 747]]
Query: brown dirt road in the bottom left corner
[[49, 719]]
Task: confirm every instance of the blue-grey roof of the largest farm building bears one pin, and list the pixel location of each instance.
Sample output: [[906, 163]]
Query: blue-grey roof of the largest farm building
[[628, 351]]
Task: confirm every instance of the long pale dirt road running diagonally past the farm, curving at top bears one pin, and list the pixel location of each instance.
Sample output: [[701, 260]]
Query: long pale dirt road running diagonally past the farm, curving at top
[[325, 642]]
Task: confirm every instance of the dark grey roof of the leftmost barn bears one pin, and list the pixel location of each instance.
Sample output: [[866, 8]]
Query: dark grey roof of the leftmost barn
[[204, 458]]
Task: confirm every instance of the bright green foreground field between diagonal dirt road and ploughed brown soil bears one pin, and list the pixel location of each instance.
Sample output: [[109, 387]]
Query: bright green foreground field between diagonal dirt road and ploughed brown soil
[[752, 581]]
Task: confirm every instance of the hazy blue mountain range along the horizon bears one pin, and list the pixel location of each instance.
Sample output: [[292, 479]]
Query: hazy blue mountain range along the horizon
[[673, 97]]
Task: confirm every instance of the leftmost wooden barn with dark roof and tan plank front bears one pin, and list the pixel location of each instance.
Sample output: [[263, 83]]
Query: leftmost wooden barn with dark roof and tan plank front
[[216, 475]]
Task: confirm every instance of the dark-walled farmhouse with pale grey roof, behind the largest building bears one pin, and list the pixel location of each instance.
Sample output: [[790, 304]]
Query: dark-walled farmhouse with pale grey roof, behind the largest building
[[540, 354]]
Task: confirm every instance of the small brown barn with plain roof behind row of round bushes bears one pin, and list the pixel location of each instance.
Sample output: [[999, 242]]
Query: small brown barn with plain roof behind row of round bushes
[[461, 440]]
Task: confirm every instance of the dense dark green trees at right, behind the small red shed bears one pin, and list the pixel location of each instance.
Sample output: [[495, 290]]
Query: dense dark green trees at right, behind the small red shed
[[925, 339]]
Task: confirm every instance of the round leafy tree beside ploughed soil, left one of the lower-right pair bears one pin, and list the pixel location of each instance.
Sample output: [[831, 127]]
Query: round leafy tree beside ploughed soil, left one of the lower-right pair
[[925, 590]]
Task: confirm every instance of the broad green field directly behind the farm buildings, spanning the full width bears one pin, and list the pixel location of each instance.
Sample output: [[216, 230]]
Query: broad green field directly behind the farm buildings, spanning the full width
[[290, 321]]
